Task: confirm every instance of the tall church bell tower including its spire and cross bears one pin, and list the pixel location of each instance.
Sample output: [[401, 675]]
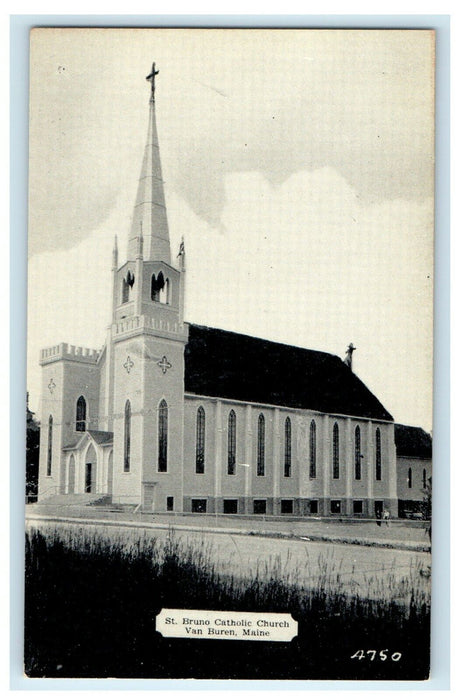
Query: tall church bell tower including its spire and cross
[[148, 337]]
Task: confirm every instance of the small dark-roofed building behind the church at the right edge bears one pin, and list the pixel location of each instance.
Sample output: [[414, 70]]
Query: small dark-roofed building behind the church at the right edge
[[413, 466]]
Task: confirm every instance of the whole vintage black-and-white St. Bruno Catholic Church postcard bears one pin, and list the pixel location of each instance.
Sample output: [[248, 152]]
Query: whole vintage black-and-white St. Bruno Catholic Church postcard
[[230, 291]]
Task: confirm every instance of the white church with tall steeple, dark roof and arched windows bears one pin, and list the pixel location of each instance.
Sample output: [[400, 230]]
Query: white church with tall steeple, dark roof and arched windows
[[172, 416]]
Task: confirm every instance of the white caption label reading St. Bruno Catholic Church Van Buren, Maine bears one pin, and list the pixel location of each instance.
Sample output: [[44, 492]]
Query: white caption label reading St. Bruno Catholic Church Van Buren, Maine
[[217, 624]]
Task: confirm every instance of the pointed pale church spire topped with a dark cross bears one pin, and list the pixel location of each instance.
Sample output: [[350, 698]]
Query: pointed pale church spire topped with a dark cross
[[150, 209]]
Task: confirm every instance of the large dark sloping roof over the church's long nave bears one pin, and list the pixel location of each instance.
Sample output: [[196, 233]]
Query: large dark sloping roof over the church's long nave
[[234, 366]]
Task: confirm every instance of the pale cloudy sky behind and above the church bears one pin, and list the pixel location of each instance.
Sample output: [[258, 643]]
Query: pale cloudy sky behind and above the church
[[298, 166]]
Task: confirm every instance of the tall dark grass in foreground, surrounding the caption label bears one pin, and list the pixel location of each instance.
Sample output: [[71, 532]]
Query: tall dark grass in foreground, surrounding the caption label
[[91, 601]]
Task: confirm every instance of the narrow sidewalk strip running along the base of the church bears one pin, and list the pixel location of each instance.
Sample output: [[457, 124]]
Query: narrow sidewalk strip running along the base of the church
[[396, 535]]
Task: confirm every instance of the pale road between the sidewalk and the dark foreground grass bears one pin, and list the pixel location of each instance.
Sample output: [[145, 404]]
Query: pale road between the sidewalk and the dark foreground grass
[[372, 571]]
